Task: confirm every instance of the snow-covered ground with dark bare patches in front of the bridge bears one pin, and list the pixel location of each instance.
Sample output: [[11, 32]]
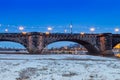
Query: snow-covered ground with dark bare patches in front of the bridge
[[58, 67]]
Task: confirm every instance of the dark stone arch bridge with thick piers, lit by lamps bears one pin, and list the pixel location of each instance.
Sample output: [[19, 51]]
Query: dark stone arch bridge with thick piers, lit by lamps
[[35, 42]]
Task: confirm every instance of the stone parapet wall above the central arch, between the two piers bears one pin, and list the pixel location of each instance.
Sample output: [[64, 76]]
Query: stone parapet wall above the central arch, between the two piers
[[91, 38]]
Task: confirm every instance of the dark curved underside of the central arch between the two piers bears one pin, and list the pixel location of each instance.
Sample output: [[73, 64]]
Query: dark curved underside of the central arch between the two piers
[[92, 50]]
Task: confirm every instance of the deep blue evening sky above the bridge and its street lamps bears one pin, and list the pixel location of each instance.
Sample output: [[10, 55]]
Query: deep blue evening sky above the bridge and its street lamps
[[37, 15]]
